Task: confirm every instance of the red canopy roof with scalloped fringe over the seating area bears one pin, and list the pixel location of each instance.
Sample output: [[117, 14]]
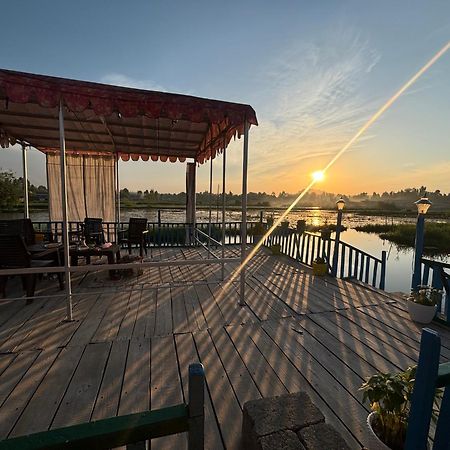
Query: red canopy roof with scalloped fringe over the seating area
[[105, 119]]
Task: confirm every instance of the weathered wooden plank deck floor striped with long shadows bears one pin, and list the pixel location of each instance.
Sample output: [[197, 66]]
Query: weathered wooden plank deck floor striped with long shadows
[[132, 342]]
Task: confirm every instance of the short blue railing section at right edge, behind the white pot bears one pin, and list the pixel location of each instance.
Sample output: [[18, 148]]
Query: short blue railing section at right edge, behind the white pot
[[434, 274]]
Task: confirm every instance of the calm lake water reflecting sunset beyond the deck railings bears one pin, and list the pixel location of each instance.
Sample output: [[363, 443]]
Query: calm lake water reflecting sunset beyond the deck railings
[[399, 260]]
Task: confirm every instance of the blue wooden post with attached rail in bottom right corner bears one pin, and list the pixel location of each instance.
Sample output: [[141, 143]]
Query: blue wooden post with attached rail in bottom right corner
[[430, 375]]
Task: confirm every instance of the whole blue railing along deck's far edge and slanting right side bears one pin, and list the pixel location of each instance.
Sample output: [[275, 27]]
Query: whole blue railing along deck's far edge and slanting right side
[[304, 247]]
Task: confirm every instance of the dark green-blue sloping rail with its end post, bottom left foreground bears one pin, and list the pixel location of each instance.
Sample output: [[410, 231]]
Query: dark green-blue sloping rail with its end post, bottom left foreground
[[129, 429]]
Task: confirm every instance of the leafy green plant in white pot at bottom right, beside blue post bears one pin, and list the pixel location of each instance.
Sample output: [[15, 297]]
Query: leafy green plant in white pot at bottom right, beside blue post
[[389, 396]]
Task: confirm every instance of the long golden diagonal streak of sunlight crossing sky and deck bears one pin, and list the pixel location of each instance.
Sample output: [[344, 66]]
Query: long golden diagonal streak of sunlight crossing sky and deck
[[359, 133]]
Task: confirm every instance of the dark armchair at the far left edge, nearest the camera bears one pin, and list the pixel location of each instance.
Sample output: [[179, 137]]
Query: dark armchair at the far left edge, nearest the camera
[[14, 255]]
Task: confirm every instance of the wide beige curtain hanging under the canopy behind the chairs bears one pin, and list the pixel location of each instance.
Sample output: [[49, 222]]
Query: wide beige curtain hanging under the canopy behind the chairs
[[90, 187]]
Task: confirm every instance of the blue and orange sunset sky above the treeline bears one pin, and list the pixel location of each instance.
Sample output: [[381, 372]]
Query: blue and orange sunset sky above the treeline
[[313, 71]]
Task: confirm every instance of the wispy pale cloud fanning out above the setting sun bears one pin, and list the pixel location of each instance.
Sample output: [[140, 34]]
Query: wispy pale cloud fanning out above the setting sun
[[312, 103]]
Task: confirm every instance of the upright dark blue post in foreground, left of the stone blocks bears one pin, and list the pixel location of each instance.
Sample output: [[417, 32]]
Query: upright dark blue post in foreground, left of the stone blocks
[[196, 434]]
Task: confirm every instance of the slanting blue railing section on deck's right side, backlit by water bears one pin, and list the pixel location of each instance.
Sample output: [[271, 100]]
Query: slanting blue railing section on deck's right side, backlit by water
[[352, 262]]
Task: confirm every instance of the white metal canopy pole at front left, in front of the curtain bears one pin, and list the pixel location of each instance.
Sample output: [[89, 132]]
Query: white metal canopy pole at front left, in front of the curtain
[[65, 237]]
